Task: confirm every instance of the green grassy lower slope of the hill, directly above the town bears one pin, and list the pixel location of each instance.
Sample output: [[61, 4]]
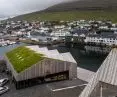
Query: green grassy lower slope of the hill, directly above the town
[[71, 15]]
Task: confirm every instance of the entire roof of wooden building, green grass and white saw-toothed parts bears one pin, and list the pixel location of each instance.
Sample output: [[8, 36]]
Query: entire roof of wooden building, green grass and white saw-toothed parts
[[22, 58]]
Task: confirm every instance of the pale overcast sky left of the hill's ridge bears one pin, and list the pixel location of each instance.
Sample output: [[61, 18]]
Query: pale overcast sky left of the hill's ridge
[[16, 7]]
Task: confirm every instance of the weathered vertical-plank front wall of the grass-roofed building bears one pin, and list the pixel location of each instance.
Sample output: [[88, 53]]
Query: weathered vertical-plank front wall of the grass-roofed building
[[47, 67]]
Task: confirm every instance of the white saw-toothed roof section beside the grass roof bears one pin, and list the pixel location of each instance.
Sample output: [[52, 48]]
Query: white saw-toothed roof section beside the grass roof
[[53, 54]]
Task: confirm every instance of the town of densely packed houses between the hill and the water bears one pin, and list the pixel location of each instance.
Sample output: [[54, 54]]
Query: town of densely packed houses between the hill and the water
[[47, 32]]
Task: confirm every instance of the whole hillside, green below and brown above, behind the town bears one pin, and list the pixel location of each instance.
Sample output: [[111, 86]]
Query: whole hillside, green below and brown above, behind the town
[[74, 10]]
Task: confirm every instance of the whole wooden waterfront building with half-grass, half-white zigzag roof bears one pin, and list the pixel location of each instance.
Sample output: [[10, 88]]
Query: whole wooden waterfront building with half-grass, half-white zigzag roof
[[34, 65]]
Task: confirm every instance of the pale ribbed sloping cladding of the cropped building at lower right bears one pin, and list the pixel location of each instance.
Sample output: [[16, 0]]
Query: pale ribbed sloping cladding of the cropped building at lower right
[[107, 73]]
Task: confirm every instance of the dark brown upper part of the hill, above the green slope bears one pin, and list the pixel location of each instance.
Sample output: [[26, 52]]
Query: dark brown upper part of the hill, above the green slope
[[85, 5]]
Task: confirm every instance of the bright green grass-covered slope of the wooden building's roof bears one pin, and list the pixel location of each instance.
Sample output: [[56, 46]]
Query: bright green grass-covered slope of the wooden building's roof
[[22, 58]]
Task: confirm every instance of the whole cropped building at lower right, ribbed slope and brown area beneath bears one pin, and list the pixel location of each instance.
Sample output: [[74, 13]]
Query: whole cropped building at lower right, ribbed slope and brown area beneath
[[104, 82]]
